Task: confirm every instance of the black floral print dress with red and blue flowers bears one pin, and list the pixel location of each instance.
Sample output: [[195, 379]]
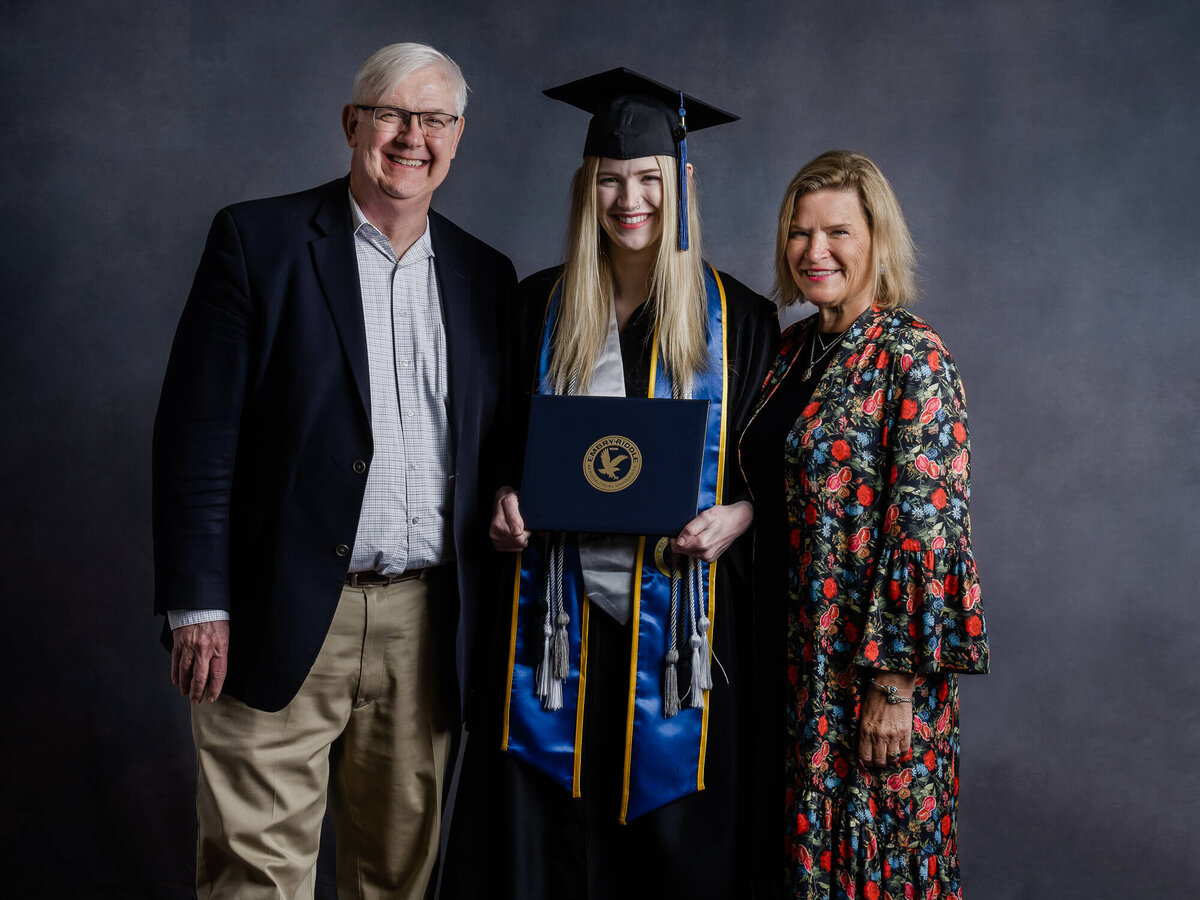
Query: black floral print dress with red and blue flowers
[[880, 577]]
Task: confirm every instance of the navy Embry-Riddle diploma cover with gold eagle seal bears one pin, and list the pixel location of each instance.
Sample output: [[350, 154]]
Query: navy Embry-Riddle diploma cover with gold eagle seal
[[613, 465]]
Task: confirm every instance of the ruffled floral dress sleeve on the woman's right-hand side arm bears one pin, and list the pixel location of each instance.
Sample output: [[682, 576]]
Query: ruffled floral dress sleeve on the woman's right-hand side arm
[[923, 605]]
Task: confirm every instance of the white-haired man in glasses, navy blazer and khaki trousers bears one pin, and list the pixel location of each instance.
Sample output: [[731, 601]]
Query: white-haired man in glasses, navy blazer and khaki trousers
[[322, 472]]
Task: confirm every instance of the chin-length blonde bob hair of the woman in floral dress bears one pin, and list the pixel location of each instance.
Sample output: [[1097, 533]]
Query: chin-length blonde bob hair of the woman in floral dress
[[893, 254]]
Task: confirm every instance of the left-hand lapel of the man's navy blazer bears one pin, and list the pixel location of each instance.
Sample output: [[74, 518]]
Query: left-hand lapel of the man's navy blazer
[[338, 272]]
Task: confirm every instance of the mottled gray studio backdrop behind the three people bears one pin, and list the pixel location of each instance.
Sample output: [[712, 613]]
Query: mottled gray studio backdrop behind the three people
[[1046, 154]]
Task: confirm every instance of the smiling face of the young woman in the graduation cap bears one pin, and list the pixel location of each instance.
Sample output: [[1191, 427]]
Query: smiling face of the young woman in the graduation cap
[[629, 201]]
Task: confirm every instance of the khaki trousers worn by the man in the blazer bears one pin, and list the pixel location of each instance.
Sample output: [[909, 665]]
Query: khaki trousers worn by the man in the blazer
[[373, 699]]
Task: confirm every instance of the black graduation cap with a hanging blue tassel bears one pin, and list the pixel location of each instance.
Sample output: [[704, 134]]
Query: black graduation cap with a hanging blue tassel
[[635, 117]]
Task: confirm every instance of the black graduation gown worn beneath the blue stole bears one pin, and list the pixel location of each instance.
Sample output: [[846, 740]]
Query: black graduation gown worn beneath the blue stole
[[518, 835]]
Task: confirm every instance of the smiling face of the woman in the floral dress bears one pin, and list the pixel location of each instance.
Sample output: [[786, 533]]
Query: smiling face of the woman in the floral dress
[[830, 255]]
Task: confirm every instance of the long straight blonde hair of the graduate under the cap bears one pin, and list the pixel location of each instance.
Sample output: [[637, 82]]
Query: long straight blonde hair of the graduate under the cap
[[677, 286]]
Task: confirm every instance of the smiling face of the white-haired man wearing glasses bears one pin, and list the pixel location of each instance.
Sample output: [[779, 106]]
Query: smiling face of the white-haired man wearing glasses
[[403, 170]]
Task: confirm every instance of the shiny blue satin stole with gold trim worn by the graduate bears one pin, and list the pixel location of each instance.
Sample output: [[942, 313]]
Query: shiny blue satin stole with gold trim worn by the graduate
[[665, 736]]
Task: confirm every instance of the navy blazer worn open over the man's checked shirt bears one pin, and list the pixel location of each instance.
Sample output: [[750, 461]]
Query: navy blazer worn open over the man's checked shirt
[[263, 435]]
